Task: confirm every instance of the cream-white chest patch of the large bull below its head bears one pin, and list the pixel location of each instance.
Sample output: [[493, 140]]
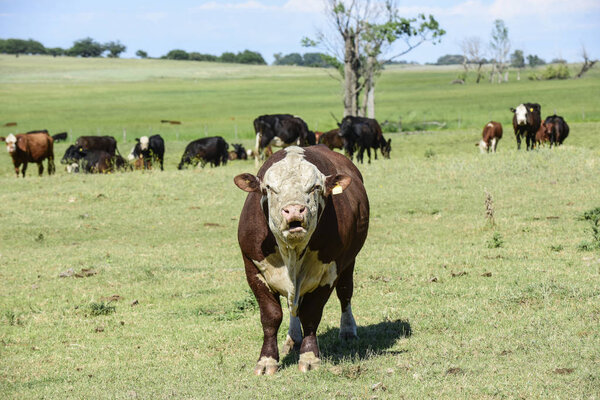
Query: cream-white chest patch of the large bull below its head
[[293, 277]]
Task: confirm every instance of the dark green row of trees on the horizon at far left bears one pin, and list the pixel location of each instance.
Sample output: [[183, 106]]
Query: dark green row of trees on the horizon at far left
[[87, 47]]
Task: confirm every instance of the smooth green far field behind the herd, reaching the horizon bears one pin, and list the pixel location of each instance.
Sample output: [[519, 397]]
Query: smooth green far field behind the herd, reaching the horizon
[[91, 96]]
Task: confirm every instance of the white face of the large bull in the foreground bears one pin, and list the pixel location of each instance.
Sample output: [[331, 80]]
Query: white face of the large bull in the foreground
[[294, 191]]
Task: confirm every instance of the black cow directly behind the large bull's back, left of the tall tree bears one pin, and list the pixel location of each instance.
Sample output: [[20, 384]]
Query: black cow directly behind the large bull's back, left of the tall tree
[[281, 130]]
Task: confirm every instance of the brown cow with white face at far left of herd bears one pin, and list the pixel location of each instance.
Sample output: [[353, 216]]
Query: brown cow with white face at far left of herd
[[32, 147]]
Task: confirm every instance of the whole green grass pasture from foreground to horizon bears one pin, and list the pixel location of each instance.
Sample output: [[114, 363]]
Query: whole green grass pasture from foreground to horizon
[[153, 301]]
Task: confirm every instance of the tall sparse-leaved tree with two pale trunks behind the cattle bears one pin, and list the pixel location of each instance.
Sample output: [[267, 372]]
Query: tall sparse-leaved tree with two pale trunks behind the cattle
[[366, 31]]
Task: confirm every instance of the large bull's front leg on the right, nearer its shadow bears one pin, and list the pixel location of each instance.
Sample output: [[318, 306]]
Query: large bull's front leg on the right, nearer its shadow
[[310, 313]]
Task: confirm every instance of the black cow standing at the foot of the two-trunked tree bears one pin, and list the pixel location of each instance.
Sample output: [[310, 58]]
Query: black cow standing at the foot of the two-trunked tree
[[363, 134]]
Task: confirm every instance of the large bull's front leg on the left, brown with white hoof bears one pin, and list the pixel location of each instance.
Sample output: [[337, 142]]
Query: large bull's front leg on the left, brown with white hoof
[[270, 318]]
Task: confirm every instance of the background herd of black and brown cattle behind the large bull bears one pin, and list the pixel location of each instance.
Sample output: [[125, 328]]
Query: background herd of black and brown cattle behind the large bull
[[100, 154]]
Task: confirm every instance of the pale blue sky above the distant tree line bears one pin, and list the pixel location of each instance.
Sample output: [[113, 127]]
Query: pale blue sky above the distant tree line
[[548, 28]]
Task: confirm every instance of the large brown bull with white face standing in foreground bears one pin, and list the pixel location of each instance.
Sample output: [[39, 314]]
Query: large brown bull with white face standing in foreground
[[304, 221]]
